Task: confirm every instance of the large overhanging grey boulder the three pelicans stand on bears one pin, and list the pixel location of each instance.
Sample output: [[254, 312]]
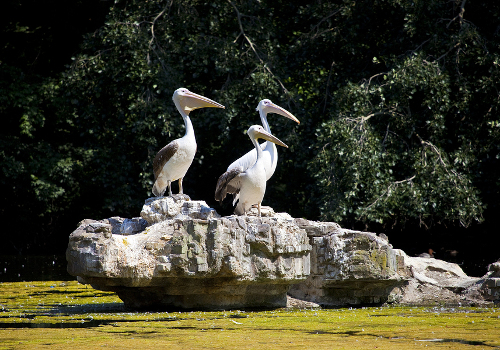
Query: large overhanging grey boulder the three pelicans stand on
[[186, 262]]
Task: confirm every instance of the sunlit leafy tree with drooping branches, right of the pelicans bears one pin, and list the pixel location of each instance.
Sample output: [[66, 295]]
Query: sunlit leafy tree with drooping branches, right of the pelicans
[[407, 143]]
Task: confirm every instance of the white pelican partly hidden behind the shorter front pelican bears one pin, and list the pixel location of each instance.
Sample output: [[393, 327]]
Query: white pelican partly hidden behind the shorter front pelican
[[270, 153]]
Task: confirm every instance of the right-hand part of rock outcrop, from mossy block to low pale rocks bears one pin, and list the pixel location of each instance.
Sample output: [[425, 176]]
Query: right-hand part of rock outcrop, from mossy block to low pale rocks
[[361, 268]]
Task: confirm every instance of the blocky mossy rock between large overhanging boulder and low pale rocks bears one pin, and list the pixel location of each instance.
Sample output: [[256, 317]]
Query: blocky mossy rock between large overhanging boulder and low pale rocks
[[348, 267]]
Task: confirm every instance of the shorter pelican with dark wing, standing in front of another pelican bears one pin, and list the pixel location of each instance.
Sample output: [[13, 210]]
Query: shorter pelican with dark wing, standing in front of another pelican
[[249, 184]]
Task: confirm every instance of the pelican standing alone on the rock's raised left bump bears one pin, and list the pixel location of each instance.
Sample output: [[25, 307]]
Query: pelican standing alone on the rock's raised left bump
[[174, 160]]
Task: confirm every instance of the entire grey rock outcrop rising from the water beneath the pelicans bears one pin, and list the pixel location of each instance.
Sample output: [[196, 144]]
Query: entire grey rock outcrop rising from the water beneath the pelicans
[[181, 254]]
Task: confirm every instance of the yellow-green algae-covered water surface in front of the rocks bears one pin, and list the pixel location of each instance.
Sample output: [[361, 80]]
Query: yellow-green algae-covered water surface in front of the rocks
[[58, 315]]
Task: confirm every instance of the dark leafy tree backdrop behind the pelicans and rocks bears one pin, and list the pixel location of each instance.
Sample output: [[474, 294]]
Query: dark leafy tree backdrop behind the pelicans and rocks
[[398, 102]]
